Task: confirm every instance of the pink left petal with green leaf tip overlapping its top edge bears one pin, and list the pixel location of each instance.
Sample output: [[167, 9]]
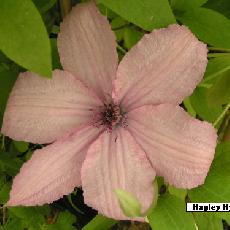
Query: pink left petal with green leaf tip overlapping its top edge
[[42, 110]]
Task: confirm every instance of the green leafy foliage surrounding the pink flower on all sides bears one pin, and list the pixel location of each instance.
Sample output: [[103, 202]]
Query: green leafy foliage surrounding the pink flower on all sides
[[28, 32]]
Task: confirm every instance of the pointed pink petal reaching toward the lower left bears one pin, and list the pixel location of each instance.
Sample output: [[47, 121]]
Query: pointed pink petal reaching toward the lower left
[[53, 171]]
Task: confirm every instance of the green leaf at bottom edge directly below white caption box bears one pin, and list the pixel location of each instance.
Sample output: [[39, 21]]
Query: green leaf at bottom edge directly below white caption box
[[208, 221]]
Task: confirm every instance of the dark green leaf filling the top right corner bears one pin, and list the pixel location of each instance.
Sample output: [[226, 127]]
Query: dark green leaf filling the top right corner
[[222, 6]]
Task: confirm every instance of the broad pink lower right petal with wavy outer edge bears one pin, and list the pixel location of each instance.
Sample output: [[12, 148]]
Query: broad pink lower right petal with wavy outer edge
[[180, 148]]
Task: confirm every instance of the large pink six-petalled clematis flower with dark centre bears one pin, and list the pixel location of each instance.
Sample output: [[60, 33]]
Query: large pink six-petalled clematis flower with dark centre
[[110, 126]]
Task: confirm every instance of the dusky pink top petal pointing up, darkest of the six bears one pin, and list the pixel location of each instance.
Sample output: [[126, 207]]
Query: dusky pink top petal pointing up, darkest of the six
[[87, 48]]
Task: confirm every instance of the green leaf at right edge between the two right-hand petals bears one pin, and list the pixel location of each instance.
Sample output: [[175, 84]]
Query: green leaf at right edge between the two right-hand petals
[[208, 101]]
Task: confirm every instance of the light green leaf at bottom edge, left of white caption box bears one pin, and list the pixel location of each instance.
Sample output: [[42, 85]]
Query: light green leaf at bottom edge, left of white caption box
[[170, 213]]
